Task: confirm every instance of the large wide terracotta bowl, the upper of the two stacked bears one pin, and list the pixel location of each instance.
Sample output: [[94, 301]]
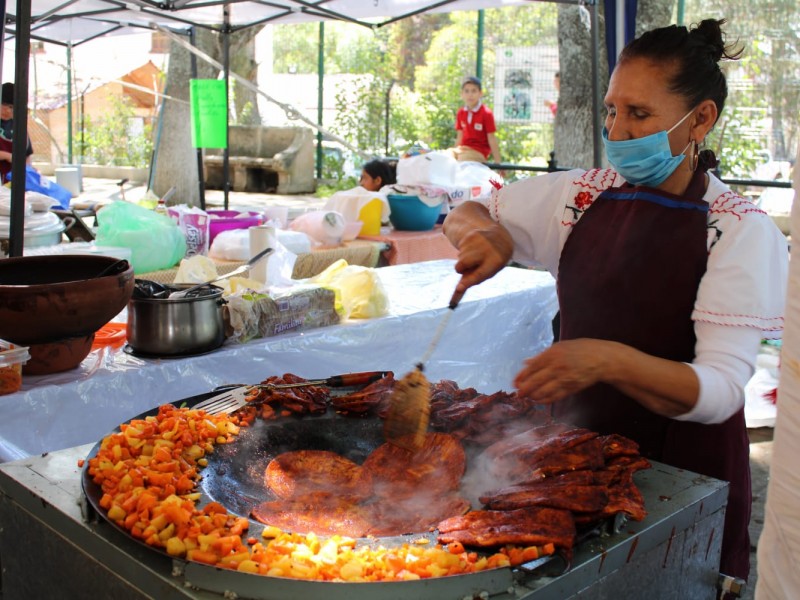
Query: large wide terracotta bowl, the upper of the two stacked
[[46, 299]]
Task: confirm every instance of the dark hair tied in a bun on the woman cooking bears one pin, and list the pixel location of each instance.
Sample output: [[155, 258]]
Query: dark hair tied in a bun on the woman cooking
[[696, 52]]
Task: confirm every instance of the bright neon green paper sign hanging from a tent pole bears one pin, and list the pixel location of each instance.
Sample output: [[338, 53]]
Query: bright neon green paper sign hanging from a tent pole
[[209, 113]]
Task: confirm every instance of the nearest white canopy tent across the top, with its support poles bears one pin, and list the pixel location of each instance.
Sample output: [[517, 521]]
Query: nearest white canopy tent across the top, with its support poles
[[74, 22]]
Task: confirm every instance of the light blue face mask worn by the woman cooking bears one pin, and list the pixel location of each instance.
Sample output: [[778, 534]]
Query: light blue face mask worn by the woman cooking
[[647, 160]]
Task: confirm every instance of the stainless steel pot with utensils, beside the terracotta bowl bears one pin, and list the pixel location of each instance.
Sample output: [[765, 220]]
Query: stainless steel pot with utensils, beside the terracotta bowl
[[174, 327]]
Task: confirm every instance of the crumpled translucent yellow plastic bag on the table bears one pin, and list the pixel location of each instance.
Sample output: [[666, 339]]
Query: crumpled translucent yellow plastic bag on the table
[[359, 291]]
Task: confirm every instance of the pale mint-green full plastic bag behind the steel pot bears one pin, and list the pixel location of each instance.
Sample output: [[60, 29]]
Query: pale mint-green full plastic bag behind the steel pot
[[155, 240]]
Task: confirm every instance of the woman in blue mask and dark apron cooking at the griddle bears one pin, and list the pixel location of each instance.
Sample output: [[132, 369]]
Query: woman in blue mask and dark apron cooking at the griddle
[[667, 280]]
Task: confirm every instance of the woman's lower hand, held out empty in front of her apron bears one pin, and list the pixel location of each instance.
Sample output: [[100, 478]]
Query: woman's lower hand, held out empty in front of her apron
[[565, 368]]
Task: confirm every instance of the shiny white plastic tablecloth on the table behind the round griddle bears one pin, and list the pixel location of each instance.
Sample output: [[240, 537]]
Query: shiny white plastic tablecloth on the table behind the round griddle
[[496, 326]]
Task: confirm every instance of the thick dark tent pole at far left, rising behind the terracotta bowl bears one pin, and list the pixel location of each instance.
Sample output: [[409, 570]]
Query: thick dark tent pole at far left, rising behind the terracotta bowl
[[19, 143]]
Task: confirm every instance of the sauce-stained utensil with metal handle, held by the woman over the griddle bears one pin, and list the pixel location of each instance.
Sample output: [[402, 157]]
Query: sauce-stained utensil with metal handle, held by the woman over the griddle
[[410, 403]]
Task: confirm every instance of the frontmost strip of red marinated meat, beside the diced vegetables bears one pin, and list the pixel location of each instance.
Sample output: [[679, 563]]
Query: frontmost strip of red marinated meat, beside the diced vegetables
[[524, 526]]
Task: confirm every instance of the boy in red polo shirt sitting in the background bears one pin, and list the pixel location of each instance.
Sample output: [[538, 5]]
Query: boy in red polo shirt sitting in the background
[[475, 125]]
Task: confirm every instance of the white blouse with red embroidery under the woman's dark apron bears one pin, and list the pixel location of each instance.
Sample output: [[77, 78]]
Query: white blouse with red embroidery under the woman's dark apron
[[741, 296]]
